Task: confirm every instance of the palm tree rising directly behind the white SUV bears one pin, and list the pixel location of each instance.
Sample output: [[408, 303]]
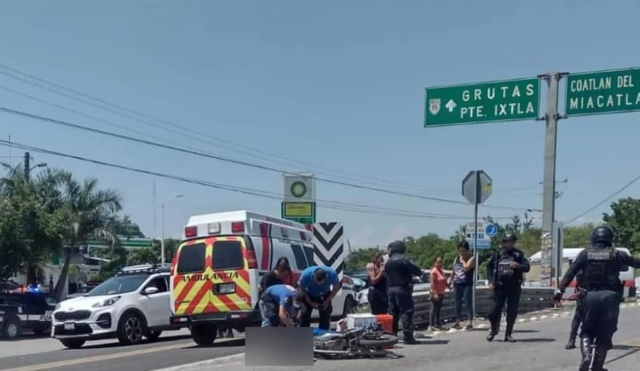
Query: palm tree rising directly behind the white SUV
[[90, 212]]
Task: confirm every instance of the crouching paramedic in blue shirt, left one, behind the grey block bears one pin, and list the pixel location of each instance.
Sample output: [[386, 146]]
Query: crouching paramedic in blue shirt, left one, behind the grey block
[[280, 304]]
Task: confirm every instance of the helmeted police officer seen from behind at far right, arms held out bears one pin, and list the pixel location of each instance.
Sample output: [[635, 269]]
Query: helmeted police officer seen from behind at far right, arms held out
[[601, 305]]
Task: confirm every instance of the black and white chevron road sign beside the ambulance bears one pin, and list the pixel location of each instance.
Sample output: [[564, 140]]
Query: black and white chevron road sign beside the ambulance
[[329, 246]]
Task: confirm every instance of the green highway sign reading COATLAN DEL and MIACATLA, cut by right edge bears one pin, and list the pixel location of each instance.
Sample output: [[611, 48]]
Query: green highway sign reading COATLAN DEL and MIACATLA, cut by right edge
[[593, 93]]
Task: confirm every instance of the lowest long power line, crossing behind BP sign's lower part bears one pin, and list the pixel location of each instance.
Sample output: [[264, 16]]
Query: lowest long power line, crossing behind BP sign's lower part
[[336, 205]]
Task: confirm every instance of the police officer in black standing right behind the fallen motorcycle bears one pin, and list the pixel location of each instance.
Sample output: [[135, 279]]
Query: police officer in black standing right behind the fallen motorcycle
[[400, 271]]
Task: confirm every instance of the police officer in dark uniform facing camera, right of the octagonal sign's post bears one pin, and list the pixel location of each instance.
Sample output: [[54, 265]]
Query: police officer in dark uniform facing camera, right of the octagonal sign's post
[[505, 272]]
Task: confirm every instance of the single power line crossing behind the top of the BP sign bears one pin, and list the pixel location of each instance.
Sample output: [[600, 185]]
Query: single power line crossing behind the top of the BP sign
[[237, 162]]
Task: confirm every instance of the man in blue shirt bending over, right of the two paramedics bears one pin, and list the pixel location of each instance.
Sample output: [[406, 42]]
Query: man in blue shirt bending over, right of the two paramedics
[[319, 285]]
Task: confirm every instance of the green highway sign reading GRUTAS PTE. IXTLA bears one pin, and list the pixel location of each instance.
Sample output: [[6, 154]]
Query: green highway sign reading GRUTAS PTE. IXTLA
[[507, 100]]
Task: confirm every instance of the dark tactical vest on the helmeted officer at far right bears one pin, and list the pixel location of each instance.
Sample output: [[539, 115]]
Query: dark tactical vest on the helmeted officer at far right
[[600, 272]]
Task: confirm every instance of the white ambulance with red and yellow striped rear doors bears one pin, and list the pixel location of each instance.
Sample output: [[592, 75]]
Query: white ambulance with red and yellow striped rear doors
[[218, 266]]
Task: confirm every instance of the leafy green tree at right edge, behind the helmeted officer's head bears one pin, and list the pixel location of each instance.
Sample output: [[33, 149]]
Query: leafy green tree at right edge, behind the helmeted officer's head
[[625, 221]]
